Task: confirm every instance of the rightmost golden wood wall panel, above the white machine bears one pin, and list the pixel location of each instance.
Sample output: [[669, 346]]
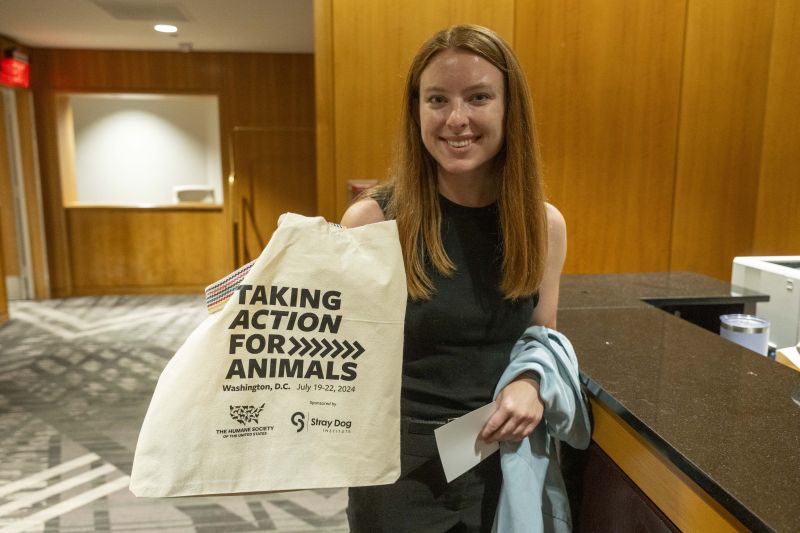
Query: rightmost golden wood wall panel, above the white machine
[[777, 230]]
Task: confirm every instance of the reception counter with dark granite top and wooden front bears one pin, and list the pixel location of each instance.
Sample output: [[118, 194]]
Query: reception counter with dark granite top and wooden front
[[708, 431]]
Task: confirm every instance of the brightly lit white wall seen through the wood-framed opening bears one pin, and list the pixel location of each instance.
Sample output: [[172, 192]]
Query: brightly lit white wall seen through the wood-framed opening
[[132, 149]]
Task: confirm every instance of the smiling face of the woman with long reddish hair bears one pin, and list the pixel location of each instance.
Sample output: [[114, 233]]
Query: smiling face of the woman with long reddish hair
[[461, 110]]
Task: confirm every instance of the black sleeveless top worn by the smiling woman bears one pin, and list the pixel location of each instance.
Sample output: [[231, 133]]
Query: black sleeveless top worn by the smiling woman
[[458, 343]]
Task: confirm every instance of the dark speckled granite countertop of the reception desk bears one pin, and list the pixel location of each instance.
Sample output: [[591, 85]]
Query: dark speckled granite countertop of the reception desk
[[724, 415]]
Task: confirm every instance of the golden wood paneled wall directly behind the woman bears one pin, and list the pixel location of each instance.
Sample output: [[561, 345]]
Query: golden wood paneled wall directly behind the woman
[[668, 129]]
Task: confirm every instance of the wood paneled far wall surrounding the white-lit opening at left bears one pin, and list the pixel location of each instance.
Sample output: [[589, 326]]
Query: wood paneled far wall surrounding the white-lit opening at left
[[268, 91]]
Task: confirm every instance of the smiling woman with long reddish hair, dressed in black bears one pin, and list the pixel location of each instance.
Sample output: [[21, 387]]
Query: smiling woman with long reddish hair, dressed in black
[[483, 255]]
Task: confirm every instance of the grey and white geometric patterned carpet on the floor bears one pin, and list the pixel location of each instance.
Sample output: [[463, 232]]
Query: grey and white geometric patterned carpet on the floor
[[76, 377]]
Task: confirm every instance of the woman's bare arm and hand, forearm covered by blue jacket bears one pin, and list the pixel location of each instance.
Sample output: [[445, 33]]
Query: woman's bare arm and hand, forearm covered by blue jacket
[[519, 407]]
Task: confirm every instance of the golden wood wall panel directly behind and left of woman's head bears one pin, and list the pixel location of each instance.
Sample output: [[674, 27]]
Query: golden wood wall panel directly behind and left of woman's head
[[373, 45]]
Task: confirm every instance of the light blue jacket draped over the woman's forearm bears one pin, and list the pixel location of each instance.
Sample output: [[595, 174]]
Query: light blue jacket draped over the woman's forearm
[[533, 497]]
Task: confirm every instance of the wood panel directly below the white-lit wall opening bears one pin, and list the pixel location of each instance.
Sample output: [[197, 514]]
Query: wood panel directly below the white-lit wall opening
[[145, 250]]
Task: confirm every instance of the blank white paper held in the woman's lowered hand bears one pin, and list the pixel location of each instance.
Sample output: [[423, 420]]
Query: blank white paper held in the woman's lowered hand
[[460, 448]]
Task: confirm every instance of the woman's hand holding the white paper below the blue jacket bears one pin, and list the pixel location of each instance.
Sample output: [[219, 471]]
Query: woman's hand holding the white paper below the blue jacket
[[519, 411]]
